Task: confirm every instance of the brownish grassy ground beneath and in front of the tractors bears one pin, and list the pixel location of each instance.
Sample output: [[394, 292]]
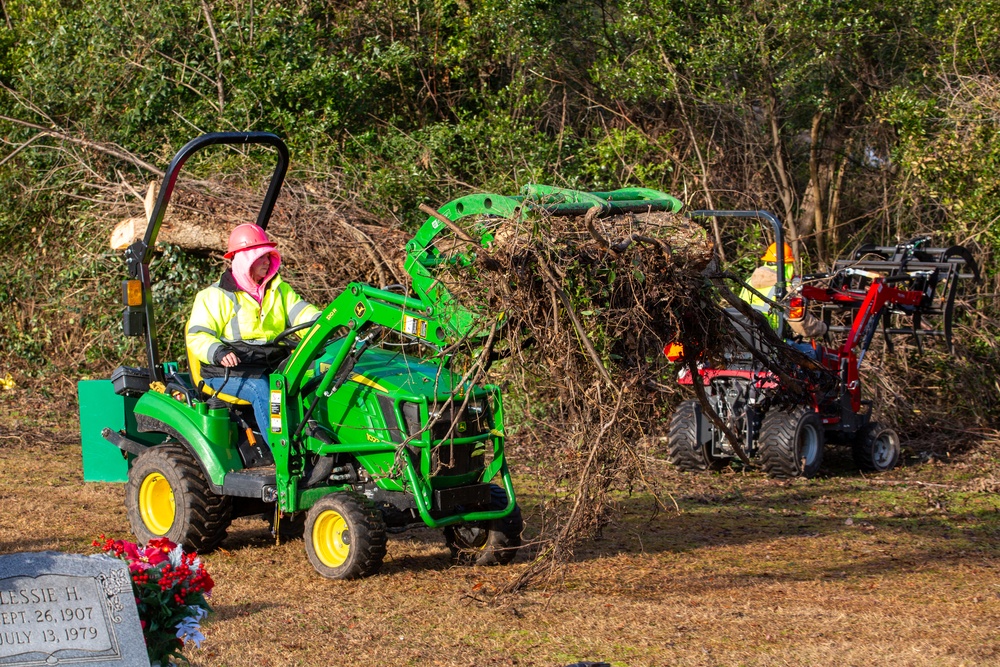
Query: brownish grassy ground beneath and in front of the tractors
[[903, 569]]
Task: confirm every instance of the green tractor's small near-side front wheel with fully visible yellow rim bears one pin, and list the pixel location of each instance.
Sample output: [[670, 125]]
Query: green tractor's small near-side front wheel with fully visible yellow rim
[[345, 536]]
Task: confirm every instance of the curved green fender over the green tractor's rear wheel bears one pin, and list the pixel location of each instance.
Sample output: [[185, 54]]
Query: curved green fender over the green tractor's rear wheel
[[206, 434]]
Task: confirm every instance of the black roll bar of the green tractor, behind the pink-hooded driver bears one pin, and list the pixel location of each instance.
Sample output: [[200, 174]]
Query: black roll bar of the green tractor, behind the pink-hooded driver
[[139, 254]]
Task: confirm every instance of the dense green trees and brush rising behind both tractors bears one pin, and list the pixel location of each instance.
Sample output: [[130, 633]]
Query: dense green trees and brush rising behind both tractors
[[850, 119]]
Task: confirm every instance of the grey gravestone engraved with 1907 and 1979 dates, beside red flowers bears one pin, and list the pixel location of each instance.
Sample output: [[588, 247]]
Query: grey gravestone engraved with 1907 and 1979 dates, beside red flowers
[[68, 609]]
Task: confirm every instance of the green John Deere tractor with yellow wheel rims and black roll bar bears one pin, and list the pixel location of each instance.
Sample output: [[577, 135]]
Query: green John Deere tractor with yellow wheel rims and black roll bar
[[371, 429]]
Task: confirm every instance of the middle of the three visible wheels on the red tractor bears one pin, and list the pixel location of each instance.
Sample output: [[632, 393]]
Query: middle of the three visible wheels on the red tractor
[[791, 442]]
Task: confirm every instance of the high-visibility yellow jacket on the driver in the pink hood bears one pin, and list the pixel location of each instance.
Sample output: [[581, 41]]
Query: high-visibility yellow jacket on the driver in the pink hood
[[223, 313]]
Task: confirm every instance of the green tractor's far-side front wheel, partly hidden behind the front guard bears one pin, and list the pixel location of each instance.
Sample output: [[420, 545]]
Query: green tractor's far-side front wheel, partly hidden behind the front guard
[[487, 542]]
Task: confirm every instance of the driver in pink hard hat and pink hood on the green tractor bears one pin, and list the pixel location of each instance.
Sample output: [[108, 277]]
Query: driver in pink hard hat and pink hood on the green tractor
[[233, 321]]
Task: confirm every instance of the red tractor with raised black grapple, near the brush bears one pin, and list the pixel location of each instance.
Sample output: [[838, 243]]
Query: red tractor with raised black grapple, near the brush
[[782, 406]]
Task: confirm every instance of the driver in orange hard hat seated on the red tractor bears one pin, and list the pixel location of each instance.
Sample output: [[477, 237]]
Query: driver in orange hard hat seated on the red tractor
[[764, 280]]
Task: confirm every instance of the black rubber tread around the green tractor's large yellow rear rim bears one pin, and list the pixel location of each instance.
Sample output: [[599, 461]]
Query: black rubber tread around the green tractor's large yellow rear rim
[[202, 523]]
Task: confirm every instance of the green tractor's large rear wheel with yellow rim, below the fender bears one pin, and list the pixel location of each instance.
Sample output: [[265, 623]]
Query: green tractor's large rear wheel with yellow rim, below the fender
[[167, 495]]
